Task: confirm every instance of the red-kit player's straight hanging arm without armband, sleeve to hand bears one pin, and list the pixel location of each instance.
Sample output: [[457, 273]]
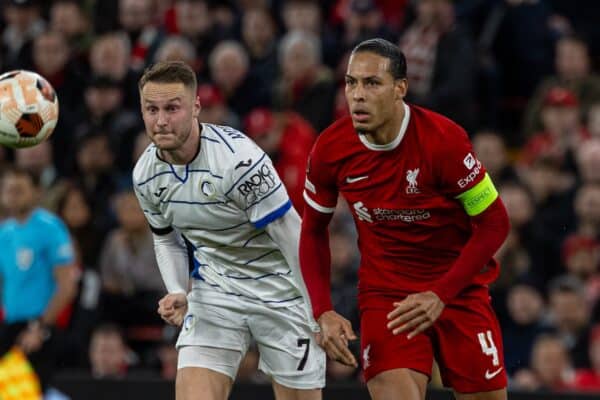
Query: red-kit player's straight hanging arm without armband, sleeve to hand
[[321, 196]]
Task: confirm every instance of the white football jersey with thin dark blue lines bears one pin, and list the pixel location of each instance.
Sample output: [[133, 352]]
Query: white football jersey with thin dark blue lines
[[221, 202]]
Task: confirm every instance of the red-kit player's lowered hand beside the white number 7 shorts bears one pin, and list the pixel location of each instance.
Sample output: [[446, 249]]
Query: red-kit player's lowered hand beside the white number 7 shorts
[[335, 333]]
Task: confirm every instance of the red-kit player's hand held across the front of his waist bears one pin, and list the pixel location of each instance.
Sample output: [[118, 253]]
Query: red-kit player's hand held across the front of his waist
[[415, 313]]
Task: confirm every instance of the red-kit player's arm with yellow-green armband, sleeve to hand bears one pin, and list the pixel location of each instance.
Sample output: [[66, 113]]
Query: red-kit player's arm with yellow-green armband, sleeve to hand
[[464, 178]]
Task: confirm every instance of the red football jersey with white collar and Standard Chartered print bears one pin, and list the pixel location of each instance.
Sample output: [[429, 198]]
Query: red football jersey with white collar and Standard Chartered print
[[411, 228]]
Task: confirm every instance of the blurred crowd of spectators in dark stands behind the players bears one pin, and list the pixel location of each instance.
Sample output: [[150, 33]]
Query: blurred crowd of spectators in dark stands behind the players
[[519, 75]]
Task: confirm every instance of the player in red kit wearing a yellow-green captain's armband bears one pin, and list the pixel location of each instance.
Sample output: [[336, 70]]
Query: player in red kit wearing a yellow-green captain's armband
[[429, 221]]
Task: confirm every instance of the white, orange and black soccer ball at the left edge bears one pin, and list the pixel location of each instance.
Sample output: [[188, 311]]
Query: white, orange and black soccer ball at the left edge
[[28, 109]]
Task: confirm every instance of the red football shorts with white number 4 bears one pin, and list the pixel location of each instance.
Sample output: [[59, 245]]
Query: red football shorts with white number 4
[[465, 341]]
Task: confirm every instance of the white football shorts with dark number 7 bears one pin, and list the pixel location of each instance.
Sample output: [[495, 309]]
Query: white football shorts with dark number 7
[[217, 331]]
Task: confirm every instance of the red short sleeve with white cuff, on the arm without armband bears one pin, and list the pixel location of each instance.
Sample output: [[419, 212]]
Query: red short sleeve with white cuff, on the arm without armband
[[320, 189]]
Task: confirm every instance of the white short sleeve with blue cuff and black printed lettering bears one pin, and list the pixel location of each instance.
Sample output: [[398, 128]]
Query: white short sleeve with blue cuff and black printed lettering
[[255, 187]]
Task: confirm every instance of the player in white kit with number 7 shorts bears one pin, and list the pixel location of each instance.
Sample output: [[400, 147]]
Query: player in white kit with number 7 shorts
[[215, 189]]
